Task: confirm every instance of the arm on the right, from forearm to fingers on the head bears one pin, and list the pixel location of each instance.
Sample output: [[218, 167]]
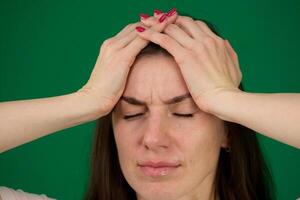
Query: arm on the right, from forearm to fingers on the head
[[210, 68]]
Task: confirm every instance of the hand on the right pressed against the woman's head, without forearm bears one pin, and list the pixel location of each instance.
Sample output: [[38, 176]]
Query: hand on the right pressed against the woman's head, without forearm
[[208, 63]]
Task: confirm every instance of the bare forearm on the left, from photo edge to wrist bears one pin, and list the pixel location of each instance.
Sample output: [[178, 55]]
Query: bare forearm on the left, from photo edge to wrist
[[25, 120]]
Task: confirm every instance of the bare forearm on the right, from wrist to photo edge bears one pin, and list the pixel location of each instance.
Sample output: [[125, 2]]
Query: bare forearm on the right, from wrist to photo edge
[[274, 115]]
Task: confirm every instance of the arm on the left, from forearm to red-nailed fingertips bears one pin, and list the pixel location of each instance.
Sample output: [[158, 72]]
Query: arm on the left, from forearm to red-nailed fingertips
[[25, 120]]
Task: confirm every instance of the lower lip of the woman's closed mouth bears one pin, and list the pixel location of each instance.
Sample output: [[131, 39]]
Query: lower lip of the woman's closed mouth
[[157, 171]]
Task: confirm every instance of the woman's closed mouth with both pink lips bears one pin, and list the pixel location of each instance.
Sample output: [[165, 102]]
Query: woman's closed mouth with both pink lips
[[158, 169]]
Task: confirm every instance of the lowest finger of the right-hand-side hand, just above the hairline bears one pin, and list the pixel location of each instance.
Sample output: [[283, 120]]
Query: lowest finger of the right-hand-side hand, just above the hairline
[[165, 41]]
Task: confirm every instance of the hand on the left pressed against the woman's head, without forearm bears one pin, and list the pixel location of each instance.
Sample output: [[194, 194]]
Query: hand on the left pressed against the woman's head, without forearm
[[108, 78]]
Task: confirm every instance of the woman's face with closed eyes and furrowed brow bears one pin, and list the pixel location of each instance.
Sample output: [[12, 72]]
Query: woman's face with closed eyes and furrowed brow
[[164, 156]]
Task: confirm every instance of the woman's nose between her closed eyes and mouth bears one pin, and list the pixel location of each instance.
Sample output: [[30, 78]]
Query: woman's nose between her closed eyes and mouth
[[156, 134]]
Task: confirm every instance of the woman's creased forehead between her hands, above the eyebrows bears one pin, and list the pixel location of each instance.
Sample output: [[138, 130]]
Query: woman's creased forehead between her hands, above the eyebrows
[[155, 78]]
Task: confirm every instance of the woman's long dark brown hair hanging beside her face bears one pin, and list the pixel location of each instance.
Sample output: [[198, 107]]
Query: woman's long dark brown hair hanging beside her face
[[242, 173]]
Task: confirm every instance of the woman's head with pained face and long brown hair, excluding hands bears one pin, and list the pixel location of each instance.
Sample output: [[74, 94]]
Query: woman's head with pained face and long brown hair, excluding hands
[[157, 150]]
